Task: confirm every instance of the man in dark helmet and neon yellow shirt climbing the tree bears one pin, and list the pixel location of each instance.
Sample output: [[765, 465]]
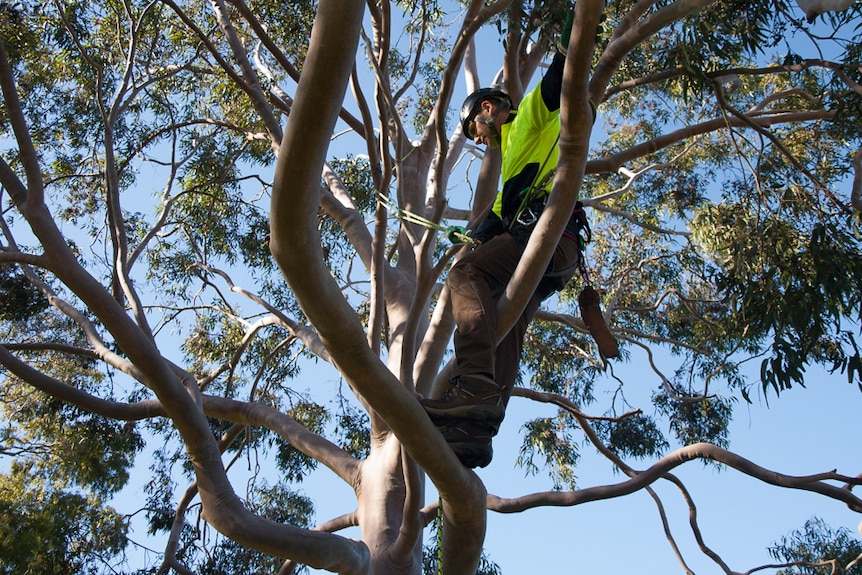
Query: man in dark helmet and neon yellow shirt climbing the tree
[[470, 411]]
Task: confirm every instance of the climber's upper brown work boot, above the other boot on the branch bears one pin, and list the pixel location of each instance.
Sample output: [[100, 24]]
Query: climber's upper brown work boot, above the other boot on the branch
[[471, 396]]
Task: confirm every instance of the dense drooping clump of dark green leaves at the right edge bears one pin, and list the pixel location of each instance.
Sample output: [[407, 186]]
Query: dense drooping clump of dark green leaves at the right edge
[[789, 285]]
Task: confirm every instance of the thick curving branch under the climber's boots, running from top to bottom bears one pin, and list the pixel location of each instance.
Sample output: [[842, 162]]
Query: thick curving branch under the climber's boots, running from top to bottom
[[296, 248]]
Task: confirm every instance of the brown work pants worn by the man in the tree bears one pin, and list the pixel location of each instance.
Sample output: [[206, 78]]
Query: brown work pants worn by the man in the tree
[[476, 281]]
